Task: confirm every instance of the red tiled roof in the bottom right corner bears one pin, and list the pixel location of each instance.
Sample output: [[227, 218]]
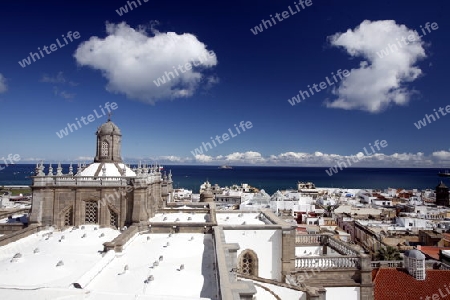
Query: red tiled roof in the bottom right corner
[[396, 283]]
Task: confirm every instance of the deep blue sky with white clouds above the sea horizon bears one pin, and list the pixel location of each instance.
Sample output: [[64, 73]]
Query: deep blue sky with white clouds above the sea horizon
[[235, 75]]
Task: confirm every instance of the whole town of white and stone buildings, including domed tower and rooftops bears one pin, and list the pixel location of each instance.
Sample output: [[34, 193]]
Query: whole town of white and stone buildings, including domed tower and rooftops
[[109, 231]]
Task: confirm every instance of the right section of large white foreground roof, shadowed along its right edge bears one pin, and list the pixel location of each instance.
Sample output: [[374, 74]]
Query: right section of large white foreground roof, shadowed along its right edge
[[197, 280]]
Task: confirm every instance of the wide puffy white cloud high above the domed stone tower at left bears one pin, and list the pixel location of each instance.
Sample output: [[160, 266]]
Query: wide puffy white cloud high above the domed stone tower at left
[[131, 61]]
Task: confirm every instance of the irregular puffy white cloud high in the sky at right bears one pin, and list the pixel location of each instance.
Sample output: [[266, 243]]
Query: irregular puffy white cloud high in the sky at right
[[388, 65]]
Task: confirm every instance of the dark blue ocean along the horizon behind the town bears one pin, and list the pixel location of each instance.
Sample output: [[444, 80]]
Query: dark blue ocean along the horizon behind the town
[[270, 179]]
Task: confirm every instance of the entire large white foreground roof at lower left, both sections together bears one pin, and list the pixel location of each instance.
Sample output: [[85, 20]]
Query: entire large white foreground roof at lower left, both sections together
[[35, 274]]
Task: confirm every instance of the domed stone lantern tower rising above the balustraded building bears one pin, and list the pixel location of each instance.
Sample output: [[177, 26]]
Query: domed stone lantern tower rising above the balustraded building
[[109, 139]]
